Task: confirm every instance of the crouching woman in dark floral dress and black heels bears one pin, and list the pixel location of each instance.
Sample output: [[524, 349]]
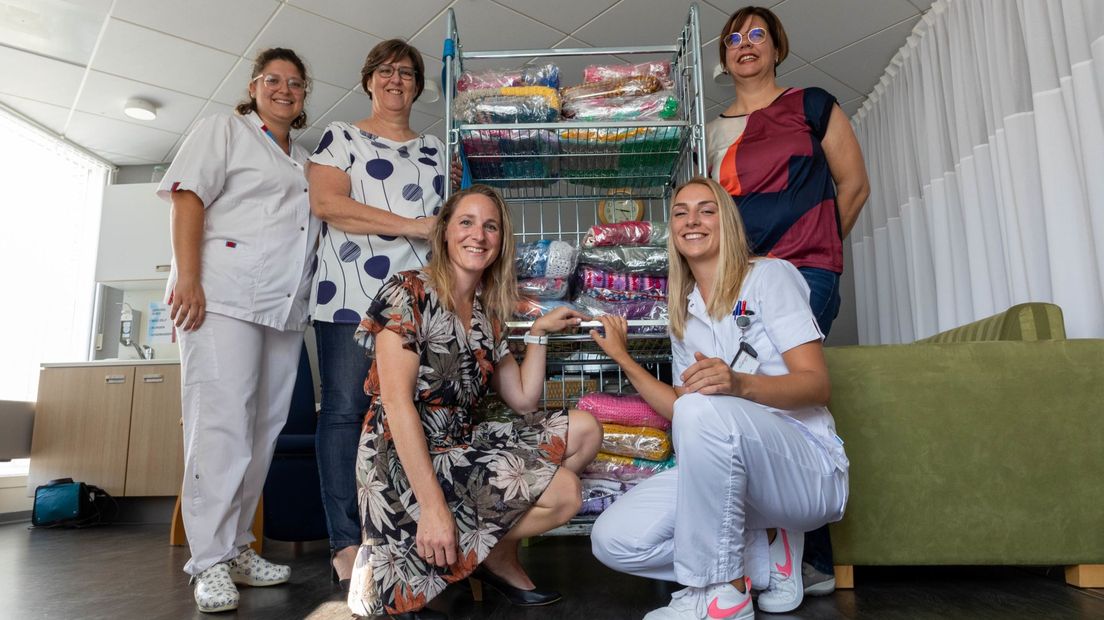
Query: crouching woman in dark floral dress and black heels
[[441, 495]]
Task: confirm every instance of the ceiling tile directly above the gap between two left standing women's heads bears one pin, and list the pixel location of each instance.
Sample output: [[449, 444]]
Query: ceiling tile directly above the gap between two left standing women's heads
[[333, 52]]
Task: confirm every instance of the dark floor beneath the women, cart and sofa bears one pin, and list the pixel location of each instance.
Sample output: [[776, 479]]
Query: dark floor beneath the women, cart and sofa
[[124, 572]]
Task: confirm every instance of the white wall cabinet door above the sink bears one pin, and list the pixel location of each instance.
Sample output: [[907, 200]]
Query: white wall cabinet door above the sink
[[134, 236]]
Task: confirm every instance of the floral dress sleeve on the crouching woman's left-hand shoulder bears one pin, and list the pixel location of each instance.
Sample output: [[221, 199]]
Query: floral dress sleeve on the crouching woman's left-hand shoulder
[[396, 308]]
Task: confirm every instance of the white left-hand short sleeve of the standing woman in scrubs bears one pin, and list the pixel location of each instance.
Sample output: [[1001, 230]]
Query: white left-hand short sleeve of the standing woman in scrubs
[[200, 166]]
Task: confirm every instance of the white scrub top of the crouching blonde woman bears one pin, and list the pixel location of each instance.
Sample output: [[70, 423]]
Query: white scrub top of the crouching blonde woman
[[779, 296]]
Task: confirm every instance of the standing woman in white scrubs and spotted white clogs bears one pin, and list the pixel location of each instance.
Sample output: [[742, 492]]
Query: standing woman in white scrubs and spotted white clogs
[[243, 240]]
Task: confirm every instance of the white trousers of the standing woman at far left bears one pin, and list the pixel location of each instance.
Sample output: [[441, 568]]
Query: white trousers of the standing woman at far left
[[237, 381]]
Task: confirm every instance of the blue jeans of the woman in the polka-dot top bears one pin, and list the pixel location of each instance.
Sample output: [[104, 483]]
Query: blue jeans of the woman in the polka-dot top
[[343, 368]]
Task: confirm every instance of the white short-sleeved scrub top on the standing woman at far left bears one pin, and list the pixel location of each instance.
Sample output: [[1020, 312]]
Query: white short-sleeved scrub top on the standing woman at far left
[[260, 237]]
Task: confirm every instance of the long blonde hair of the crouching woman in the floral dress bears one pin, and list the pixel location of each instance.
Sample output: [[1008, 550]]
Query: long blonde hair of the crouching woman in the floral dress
[[500, 285]]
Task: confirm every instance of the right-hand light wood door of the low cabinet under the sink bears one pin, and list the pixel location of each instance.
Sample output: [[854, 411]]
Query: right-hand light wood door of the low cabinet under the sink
[[156, 461]]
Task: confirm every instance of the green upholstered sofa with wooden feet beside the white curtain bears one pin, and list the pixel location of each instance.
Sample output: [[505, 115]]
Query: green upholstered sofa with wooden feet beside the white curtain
[[981, 446]]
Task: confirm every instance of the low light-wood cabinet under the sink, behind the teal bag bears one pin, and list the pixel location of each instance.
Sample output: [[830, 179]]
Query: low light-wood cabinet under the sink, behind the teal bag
[[116, 427]]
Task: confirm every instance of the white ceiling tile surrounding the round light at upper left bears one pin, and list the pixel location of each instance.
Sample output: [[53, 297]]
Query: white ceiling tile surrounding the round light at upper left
[[105, 95]]
